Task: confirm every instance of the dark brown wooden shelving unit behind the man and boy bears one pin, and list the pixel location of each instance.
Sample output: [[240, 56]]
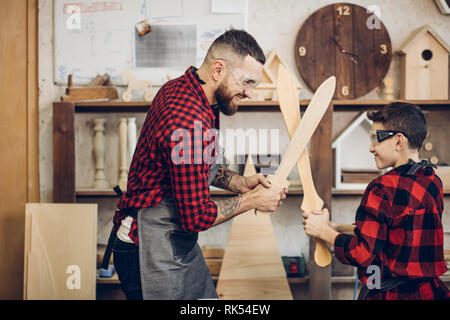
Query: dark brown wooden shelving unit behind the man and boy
[[320, 155]]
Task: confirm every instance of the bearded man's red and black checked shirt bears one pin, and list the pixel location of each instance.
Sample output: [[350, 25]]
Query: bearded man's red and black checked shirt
[[178, 126]]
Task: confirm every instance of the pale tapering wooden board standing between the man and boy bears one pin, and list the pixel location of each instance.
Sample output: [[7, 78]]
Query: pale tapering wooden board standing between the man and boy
[[252, 268]]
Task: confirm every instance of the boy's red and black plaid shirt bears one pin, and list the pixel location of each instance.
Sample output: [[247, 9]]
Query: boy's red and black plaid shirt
[[399, 229]]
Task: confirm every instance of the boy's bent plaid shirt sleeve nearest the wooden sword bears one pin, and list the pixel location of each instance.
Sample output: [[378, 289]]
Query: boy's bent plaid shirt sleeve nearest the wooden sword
[[370, 232]]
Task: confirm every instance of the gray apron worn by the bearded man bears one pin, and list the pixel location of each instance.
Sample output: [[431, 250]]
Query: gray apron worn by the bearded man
[[171, 262]]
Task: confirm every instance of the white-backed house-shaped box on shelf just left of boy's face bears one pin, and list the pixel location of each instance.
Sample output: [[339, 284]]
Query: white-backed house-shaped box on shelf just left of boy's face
[[354, 171]]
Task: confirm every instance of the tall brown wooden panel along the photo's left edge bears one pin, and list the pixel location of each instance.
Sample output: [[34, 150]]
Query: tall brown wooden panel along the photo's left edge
[[14, 165]]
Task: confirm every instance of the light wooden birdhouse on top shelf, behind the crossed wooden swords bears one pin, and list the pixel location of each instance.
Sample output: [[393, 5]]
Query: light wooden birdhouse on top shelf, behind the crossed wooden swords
[[266, 90]]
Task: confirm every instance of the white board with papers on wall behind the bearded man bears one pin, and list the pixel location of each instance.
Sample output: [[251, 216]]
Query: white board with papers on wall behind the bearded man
[[96, 37]]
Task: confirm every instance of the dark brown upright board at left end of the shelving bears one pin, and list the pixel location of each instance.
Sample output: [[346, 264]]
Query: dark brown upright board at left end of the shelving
[[63, 152]]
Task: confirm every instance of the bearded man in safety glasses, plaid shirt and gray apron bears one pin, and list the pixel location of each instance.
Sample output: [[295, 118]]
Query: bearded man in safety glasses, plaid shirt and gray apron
[[168, 201]]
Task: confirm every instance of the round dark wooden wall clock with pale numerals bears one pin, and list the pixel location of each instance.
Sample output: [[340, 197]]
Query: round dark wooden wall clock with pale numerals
[[342, 40]]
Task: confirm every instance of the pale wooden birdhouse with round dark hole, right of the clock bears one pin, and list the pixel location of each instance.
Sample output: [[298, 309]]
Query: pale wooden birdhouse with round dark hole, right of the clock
[[424, 65]]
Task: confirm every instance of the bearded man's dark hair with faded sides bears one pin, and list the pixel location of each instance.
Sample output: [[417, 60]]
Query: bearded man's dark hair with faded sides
[[237, 42]]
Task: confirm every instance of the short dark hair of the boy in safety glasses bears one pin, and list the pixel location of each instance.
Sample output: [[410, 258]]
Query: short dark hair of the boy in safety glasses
[[404, 117]]
